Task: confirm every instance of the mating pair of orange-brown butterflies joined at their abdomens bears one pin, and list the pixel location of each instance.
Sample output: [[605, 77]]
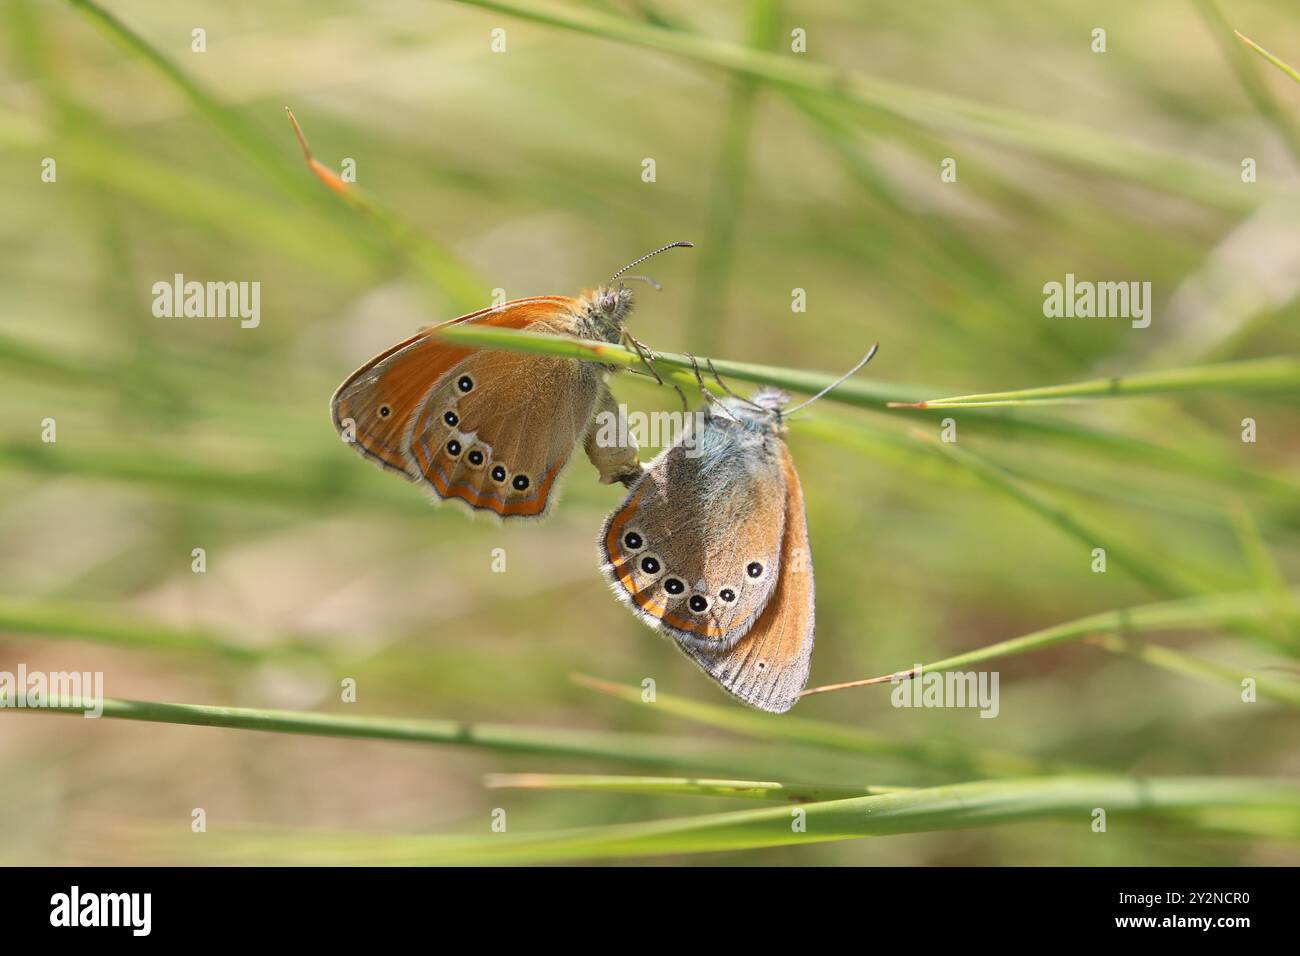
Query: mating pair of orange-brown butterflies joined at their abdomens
[[710, 547]]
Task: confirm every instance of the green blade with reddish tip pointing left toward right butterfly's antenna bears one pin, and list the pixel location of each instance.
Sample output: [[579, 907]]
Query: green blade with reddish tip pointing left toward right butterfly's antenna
[[1281, 375]]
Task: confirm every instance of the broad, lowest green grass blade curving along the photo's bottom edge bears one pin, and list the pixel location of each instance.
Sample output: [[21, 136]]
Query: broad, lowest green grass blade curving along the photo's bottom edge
[[1071, 801]]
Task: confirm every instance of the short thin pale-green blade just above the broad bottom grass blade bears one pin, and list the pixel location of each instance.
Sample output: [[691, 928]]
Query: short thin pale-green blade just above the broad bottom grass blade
[[682, 786]]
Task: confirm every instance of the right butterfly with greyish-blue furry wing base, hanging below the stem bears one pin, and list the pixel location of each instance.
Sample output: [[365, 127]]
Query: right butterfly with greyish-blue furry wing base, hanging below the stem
[[712, 547]]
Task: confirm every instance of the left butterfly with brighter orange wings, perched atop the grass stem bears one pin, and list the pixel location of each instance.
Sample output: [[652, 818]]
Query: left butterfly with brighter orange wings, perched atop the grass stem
[[492, 430]]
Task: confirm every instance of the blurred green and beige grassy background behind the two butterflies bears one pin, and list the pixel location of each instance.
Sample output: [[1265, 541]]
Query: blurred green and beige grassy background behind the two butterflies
[[523, 171]]
